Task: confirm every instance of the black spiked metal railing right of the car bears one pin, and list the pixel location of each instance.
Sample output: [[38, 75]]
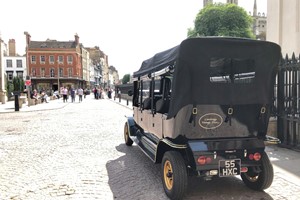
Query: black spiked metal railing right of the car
[[287, 102]]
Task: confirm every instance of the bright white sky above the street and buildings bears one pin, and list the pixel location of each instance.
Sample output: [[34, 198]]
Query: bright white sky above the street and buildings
[[127, 31]]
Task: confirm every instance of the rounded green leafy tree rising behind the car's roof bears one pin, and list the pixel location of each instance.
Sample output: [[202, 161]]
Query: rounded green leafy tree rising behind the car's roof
[[222, 20]]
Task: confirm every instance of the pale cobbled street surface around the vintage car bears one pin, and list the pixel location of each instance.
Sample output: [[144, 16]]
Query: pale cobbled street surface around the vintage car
[[77, 152]]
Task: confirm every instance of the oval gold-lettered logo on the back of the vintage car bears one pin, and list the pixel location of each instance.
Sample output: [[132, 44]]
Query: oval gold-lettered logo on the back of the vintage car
[[210, 121]]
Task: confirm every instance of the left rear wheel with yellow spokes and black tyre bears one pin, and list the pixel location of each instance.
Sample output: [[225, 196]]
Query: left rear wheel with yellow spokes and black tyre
[[174, 175]]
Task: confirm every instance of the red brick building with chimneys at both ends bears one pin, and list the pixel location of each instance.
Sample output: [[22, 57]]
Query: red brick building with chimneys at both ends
[[53, 64]]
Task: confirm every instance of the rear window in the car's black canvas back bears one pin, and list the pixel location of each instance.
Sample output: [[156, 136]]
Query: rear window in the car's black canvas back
[[232, 70]]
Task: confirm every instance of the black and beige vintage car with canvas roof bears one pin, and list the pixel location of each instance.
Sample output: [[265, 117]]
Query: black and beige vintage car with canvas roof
[[202, 109]]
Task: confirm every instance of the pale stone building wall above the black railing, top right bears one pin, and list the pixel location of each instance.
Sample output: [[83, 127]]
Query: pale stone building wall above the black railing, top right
[[284, 25]]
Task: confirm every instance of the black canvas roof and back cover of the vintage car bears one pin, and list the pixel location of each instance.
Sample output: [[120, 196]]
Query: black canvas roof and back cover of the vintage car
[[197, 62]]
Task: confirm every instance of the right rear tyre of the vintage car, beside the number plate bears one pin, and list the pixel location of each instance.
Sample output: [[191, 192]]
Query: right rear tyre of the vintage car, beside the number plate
[[261, 180]]
